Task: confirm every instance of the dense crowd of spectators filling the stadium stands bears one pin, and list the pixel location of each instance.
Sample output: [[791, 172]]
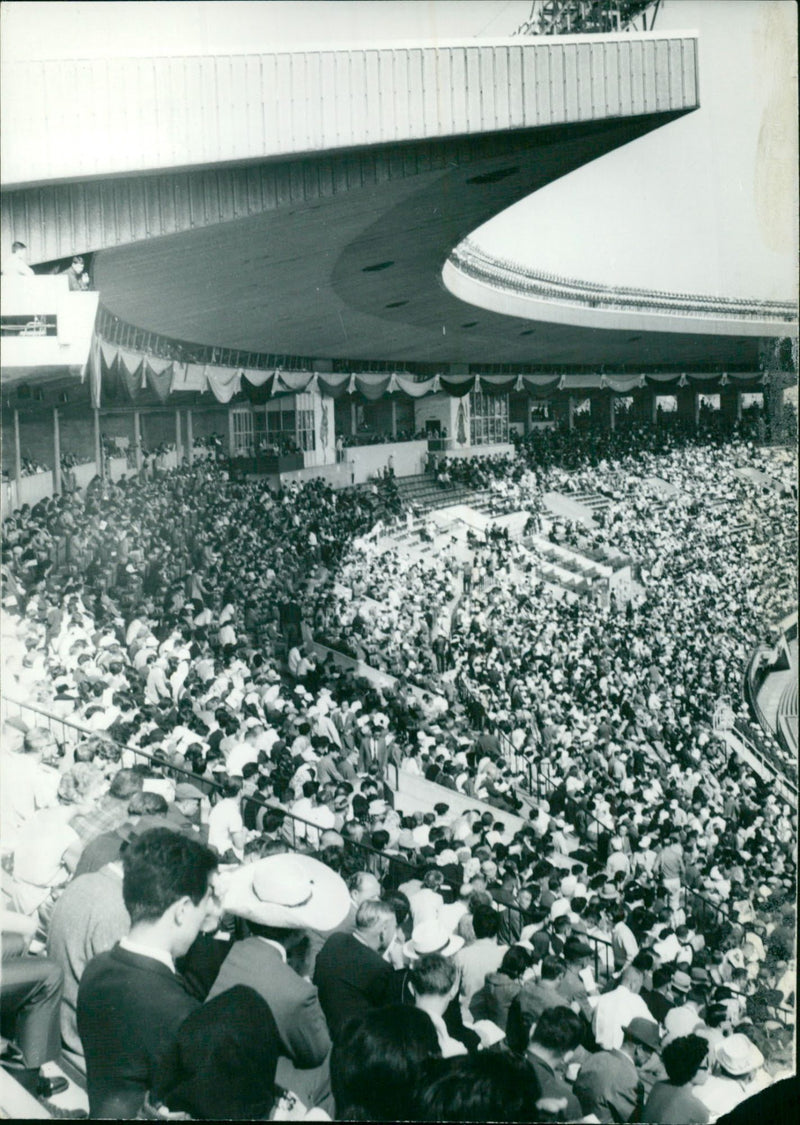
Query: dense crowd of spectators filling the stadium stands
[[614, 938]]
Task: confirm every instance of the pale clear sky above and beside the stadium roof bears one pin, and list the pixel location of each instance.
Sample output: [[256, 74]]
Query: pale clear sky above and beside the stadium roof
[[707, 204]]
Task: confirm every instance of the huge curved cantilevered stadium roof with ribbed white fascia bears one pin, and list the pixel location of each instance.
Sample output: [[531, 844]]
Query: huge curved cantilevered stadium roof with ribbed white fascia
[[305, 203]]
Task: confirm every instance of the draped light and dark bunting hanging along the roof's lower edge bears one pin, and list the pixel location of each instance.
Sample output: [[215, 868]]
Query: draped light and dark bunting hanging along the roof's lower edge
[[122, 374]]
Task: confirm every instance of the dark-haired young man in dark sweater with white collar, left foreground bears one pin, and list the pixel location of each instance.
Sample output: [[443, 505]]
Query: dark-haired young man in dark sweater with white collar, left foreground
[[131, 1001]]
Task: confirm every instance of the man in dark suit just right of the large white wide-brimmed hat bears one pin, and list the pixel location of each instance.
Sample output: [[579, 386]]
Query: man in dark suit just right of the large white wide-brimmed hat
[[350, 974]]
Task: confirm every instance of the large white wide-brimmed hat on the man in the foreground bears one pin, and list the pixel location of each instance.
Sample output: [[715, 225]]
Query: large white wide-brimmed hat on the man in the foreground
[[287, 892]]
